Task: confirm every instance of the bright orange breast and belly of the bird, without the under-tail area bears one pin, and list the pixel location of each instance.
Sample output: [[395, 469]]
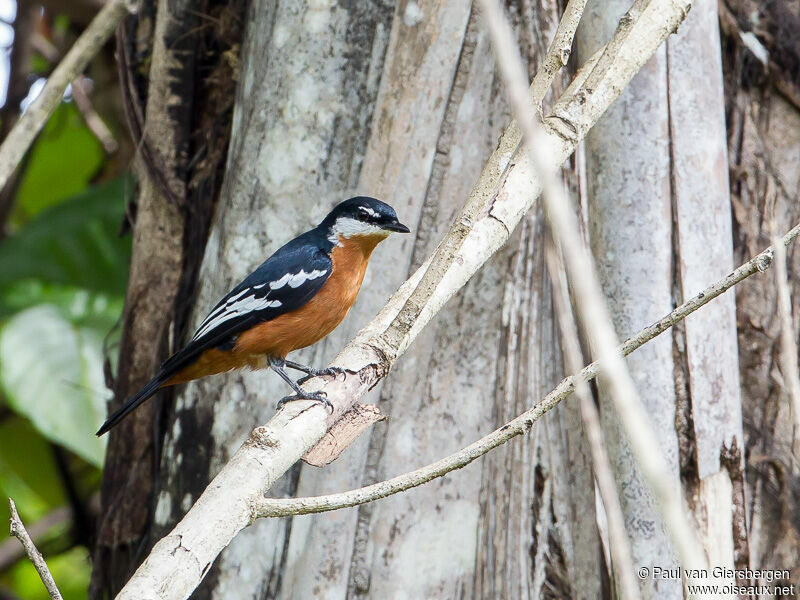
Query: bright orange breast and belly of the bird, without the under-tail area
[[323, 313]]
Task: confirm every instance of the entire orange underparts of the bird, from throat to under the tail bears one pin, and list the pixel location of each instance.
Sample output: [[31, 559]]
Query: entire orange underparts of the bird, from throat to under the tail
[[299, 328]]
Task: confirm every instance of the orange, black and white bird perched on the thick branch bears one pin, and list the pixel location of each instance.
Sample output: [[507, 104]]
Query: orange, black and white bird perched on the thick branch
[[295, 298]]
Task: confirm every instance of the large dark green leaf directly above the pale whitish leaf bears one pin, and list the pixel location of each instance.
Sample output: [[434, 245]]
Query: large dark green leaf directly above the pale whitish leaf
[[74, 244]]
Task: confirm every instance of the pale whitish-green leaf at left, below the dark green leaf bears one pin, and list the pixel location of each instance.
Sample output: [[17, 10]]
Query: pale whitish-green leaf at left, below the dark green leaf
[[51, 372]]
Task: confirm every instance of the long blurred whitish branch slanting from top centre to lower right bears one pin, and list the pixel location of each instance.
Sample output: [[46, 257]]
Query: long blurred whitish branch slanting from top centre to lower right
[[589, 298]]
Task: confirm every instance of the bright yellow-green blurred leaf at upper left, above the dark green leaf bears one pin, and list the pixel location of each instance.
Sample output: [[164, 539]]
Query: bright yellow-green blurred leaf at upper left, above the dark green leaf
[[63, 161]]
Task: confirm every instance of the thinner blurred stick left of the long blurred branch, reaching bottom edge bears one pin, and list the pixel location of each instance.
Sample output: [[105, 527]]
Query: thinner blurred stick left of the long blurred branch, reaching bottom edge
[[619, 544]]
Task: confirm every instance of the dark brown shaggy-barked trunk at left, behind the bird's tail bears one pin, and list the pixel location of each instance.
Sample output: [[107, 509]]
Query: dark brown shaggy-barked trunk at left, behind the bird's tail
[[172, 214]]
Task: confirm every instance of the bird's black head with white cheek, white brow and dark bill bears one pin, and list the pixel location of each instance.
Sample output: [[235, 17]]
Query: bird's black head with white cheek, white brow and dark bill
[[363, 216]]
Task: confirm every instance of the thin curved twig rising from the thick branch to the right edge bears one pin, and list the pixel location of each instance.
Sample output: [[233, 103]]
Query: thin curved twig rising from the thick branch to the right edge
[[283, 507]]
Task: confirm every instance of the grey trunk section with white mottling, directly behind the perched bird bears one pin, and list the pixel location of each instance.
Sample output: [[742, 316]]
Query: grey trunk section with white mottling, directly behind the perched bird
[[309, 81]]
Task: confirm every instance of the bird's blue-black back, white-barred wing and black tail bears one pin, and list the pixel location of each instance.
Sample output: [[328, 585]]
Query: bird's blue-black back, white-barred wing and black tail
[[284, 282]]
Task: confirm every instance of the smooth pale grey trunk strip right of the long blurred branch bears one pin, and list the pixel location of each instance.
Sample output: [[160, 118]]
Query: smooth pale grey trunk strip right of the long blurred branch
[[630, 233]]
